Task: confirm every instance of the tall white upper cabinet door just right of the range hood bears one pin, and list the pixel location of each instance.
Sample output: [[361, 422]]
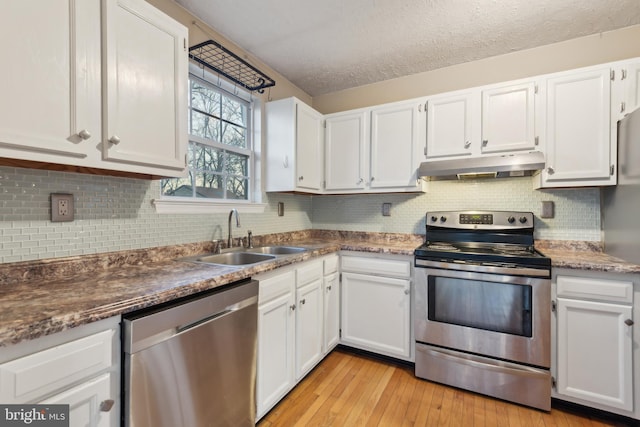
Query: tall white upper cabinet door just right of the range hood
[[578, 132]]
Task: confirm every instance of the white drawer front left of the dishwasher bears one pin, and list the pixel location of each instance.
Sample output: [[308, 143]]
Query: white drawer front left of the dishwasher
[[38, 374]]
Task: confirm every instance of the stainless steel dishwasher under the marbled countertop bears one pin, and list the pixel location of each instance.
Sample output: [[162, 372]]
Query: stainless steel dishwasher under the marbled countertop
[[193, 363]]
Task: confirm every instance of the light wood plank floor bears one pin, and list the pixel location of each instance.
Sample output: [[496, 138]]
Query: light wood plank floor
[[349, 389]]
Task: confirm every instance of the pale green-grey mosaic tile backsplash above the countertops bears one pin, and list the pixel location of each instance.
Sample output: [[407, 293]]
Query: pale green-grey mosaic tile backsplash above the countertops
[[116, 213]]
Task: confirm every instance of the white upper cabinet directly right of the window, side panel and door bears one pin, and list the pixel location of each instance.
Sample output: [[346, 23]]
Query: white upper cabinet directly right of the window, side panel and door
[[294, 150]]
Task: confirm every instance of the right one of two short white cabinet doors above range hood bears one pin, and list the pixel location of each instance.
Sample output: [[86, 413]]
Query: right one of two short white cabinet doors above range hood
[[508, 118]]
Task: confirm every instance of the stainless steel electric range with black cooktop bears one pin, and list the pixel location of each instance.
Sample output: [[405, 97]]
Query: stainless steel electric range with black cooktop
[[483, 306]]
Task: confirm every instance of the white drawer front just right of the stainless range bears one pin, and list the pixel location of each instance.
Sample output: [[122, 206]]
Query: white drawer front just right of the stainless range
[[595, 288]]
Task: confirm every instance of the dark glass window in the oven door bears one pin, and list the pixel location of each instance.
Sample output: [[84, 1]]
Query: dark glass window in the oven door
[[491, 306]]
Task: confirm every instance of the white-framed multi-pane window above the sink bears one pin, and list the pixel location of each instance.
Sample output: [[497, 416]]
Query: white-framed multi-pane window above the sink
[[220, 156]]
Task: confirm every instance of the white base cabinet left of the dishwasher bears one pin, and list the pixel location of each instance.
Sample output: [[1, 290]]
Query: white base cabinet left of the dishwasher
[[79, 367]]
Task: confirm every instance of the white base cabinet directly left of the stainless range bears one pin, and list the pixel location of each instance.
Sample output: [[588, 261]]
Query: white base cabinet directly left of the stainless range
[[376, 305]]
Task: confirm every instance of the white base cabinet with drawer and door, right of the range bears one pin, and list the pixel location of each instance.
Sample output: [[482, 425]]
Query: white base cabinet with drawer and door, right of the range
[[595, 340]]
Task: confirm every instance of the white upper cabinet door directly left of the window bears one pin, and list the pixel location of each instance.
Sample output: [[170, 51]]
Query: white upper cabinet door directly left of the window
[[145, 87]]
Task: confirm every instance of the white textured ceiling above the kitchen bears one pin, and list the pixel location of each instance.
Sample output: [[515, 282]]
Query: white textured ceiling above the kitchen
[[324, 46]]
